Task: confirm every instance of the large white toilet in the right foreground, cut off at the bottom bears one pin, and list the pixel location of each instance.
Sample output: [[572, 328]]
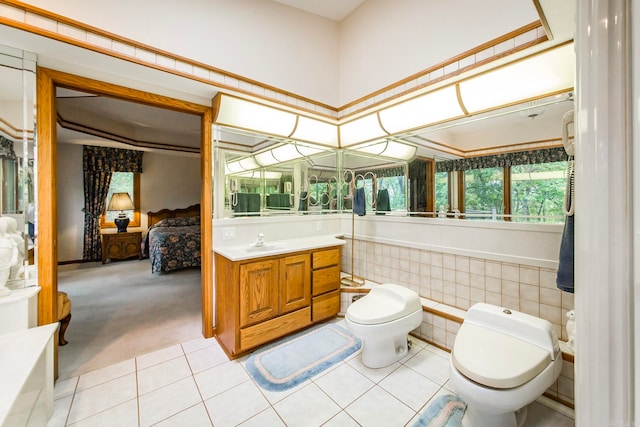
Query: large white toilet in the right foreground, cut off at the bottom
[[501, 361]]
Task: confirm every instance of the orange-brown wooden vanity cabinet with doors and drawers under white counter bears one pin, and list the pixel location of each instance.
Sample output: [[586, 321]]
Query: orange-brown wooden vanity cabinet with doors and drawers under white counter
[[261, 299]]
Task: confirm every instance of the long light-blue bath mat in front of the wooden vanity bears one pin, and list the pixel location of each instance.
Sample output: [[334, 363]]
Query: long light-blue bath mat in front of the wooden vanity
[[291, 361]]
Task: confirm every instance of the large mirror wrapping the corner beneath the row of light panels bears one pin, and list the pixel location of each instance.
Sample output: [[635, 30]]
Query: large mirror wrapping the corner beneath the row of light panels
[[443, 170]]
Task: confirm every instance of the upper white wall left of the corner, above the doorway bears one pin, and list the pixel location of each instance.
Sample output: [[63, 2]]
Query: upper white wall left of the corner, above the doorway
[[229, 35]]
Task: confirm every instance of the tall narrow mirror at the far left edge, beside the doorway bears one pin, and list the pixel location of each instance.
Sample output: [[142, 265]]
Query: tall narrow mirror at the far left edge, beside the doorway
[[18, 201]]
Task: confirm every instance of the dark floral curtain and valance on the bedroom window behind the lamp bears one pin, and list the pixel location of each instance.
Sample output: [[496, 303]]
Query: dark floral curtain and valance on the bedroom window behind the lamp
[[98, 165]]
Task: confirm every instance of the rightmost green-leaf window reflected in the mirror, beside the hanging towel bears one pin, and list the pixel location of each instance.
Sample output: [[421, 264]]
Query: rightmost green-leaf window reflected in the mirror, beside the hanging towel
[[537, 191]]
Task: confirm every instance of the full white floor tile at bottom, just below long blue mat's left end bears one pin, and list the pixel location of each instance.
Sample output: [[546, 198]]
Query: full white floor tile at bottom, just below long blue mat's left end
[[236, 405]]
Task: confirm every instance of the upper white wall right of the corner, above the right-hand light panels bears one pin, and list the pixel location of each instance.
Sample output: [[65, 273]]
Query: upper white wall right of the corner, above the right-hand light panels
[[385, 41]]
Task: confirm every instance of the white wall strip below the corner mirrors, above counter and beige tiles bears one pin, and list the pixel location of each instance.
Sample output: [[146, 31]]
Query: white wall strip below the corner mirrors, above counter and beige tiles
[[529, 244]]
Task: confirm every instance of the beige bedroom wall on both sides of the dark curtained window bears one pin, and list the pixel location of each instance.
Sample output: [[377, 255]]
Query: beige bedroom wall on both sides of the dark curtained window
[[167, 181]]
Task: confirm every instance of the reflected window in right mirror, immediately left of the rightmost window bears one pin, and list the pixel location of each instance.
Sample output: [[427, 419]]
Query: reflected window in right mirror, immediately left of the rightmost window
[[483, 192]]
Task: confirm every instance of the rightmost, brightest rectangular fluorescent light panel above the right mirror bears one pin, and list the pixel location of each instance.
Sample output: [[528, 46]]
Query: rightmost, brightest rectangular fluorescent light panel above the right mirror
[[543, 74]]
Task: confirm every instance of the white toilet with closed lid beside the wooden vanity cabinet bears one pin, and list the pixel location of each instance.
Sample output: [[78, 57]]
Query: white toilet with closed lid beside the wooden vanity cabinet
[[382, 320]]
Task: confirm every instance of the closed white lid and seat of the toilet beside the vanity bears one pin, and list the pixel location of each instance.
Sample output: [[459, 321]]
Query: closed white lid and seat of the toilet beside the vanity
[[384, 303]]
